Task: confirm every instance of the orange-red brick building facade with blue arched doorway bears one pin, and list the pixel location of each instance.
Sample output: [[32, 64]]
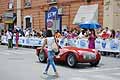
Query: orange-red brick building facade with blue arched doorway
[[39, 14]]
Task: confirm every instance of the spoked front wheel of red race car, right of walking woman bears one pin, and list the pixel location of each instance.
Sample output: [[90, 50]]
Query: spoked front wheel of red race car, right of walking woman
[[71, 60]]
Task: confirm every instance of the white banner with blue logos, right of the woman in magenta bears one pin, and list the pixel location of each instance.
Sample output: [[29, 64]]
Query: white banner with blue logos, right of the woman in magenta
[[109, 45]]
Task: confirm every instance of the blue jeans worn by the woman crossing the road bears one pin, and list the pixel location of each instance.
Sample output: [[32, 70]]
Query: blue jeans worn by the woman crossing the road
[[50, 61]]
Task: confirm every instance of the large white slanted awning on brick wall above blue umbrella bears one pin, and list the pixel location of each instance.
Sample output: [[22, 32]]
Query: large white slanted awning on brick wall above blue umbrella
[[86, 13]]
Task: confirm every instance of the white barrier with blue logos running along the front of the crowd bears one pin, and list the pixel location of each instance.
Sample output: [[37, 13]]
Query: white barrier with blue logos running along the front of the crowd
[[109, 45]]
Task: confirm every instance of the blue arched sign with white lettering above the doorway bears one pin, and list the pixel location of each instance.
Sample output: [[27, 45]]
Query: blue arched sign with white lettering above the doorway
[[52, 13]]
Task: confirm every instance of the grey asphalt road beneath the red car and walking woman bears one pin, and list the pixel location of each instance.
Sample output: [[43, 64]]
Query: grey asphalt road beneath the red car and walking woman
[[22, 64]]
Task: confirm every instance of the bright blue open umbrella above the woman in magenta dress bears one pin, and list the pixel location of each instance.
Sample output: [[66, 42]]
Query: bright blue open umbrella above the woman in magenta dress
[[90, 25]]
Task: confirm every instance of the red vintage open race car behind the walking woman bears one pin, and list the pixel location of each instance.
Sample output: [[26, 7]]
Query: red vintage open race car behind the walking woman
[[72, 56]]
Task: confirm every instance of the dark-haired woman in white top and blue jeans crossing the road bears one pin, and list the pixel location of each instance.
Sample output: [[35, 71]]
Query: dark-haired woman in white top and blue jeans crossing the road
[[49, 40]]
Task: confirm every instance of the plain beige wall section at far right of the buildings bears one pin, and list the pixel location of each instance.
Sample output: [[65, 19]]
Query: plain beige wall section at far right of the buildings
[[112, 14]]
